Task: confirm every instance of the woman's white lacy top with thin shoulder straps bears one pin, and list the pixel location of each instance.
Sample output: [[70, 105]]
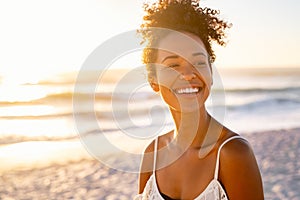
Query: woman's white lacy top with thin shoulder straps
[[213, 191]]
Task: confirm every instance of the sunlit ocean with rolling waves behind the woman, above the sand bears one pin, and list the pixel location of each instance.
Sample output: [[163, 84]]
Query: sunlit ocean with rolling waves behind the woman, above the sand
[[43, 121]]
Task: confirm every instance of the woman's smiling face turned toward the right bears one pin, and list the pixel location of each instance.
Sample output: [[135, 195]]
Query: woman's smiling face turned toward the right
[[183, 73]]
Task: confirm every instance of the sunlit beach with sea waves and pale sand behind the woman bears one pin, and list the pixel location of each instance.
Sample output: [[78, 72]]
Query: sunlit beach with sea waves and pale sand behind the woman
[[51, 129]]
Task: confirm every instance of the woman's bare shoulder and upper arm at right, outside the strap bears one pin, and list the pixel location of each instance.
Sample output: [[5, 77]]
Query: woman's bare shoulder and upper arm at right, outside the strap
[[239, 172]]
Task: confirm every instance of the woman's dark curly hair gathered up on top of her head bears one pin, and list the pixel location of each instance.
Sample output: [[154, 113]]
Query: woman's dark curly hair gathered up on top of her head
[[180, 15]]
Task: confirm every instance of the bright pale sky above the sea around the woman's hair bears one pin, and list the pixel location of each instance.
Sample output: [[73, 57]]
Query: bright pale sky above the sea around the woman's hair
[[40, 37]]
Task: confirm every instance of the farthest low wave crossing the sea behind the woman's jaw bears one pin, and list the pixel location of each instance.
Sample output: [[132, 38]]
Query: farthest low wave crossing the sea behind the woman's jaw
[[68, 96]]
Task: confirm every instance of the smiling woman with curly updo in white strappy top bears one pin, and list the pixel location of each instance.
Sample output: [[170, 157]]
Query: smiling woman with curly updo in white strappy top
[[200, 158]]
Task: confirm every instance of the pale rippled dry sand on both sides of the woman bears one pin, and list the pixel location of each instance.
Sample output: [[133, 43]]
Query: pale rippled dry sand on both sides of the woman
[[277, 154]]
